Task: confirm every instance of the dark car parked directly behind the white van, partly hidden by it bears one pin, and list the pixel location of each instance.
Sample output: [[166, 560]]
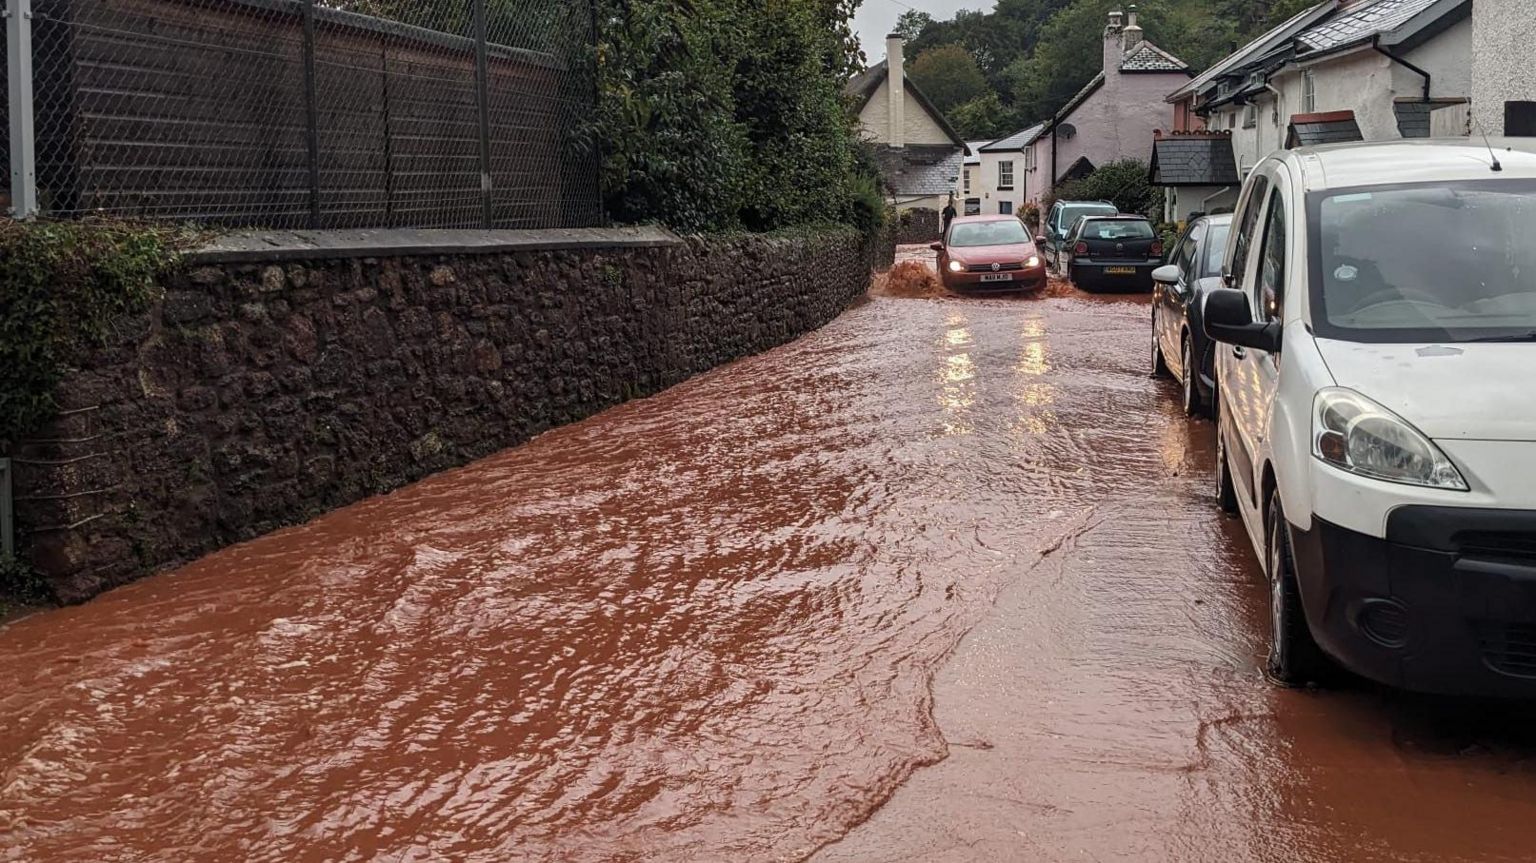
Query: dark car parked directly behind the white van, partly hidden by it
[[1179, 289]]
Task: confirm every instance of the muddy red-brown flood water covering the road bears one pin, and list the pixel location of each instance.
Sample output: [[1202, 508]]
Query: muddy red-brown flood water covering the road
[[941, 581]]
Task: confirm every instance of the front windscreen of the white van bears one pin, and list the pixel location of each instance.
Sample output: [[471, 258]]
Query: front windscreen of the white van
[[1449, 262]]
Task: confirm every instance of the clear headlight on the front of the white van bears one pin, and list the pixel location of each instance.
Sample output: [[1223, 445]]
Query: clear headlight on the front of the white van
[[1359, 435]]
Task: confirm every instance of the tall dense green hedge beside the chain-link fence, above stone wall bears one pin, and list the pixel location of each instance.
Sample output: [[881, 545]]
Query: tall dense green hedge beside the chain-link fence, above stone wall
[[730, 114]]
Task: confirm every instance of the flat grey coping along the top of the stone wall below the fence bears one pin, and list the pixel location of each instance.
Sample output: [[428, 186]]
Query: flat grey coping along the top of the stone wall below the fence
[[266, 246]]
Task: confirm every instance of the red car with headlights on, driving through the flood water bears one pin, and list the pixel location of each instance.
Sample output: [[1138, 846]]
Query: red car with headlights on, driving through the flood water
[[990, 253]]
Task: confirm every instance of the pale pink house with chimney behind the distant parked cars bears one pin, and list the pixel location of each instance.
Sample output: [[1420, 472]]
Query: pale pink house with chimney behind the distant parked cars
[[1114, 116]]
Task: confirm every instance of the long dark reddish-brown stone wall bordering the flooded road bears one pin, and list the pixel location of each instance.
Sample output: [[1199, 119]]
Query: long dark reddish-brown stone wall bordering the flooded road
[[277, 382]]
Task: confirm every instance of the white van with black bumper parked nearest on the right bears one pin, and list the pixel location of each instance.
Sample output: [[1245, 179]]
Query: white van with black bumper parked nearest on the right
[[1379, 409]]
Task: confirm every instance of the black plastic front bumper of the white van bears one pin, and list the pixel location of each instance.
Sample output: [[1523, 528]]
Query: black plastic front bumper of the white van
[[1445, 604]]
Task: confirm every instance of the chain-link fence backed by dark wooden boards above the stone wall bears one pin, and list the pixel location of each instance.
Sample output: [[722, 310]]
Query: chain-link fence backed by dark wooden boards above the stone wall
[[303, 114]]
